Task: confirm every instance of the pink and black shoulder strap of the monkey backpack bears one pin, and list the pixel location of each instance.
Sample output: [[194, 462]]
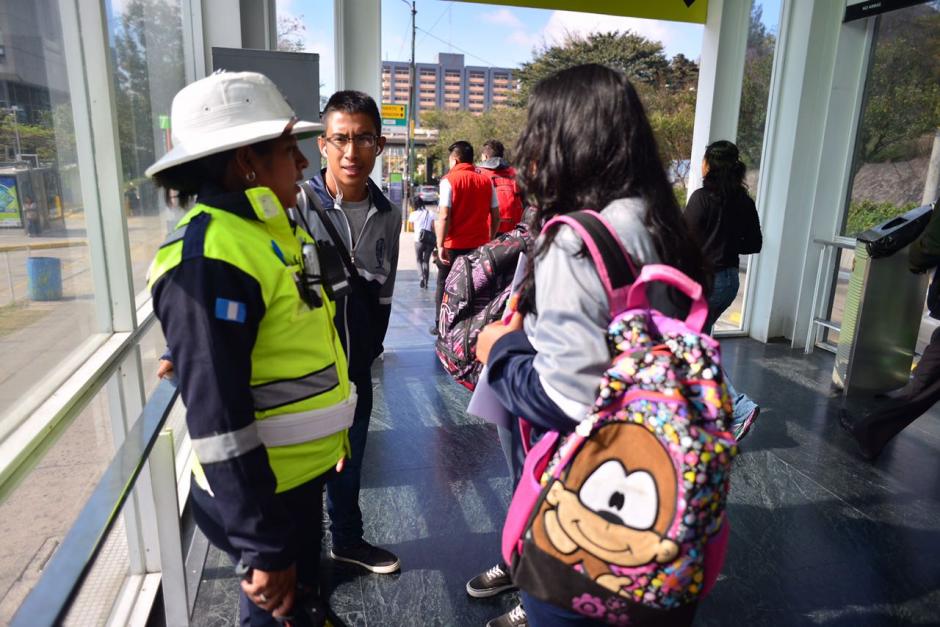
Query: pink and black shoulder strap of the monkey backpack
[[614, 265]]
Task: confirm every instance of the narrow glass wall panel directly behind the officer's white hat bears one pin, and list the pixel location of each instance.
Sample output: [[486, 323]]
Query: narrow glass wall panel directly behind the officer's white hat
[[146, 38]]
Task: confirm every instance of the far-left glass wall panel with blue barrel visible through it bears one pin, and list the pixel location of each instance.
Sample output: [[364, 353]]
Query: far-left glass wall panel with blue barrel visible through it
[[46, 289]]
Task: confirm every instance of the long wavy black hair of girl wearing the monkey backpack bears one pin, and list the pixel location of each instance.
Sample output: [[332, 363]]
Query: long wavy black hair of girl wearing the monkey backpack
[[588, 142]]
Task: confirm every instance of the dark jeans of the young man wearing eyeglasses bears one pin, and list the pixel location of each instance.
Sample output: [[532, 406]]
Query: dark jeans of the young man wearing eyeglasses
[[342, 490]]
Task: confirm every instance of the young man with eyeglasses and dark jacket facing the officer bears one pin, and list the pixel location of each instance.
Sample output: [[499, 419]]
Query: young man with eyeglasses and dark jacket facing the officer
[[364, 226]]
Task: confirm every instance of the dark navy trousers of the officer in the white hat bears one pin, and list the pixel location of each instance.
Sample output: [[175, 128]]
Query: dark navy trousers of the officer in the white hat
[[304, 505]]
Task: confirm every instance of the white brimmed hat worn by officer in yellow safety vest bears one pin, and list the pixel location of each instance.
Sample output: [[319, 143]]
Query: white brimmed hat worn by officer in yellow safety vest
[[227, 110]]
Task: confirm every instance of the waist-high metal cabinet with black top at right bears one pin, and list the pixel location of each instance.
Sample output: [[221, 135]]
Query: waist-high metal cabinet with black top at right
[[883, 308]]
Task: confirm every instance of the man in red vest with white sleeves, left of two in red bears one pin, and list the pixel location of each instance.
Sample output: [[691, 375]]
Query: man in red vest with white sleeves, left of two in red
[[468, 215]]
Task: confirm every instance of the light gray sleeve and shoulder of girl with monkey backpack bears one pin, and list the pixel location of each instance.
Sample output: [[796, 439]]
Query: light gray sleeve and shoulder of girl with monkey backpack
[[569, 332]]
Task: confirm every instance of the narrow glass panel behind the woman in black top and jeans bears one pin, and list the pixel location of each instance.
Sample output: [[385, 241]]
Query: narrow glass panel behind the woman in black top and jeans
[[752, 119]]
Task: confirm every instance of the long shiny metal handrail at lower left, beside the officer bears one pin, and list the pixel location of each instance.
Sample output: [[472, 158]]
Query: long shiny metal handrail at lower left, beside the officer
[[51, 598]]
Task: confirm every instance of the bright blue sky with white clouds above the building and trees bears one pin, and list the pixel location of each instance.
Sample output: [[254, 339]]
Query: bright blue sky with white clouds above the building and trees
[[487, 34]]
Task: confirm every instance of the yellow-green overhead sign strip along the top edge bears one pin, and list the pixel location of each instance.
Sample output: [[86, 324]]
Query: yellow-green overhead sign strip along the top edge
[[674, 10]]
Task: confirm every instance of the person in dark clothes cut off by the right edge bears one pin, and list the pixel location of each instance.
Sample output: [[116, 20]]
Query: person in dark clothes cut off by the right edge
[[873, 431]]
